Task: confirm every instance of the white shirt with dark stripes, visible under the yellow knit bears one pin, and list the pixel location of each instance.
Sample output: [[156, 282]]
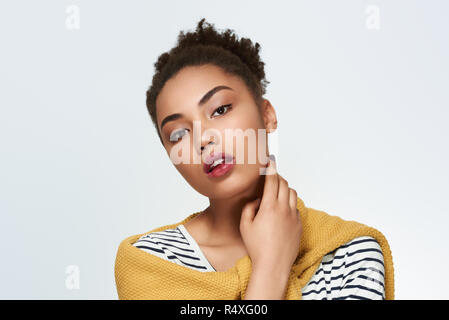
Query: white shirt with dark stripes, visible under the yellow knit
[[354, 271]]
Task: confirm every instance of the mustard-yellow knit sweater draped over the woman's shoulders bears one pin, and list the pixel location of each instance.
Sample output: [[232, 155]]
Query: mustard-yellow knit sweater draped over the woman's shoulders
[[140, 275]]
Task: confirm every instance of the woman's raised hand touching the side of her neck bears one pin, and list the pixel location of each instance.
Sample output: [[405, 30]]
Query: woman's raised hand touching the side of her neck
[[272, 235]]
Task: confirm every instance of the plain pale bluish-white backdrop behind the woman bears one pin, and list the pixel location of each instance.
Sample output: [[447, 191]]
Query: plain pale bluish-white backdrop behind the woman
[[362, 130]]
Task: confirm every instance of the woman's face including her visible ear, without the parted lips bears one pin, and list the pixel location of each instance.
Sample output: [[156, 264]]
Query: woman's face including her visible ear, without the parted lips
[[200, 130]]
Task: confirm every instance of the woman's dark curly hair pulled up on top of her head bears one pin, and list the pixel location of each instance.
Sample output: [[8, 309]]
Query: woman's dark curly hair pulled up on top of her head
[[207, 46]]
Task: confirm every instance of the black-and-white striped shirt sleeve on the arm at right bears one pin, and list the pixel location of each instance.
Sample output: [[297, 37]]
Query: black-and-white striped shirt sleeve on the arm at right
[[364, 270]]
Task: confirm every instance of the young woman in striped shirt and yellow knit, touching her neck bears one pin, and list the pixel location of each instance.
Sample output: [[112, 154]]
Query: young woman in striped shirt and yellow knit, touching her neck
[[256, 236]]
